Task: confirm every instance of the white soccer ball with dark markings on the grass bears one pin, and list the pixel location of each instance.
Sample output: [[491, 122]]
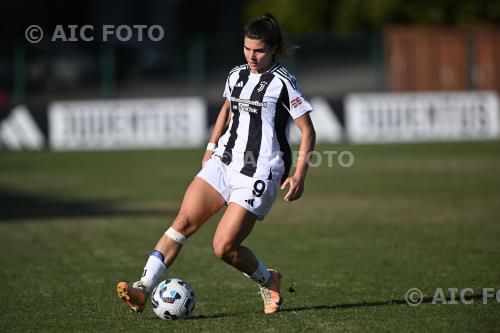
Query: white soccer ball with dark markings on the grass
[[173, 299]]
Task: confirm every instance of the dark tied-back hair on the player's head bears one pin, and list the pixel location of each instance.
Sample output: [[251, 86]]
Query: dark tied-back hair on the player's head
[[268, 30]]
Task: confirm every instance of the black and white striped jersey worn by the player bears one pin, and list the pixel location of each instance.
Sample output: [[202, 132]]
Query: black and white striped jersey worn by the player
[[256, 141]]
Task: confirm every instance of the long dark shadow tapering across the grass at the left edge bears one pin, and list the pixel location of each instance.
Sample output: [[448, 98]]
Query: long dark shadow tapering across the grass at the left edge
[[16, 205]]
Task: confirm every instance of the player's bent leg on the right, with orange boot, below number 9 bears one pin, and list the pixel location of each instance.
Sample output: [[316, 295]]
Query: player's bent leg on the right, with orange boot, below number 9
[[235, 225]]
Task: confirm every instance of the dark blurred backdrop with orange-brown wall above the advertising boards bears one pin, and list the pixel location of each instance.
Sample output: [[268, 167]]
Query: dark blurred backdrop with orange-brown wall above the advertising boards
[[335, 48]]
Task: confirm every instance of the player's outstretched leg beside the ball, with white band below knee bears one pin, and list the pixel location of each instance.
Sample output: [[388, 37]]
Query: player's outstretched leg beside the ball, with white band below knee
[[201, 201]]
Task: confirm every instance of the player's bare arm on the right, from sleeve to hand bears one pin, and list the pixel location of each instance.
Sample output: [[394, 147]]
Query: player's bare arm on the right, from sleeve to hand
[[296, 182]]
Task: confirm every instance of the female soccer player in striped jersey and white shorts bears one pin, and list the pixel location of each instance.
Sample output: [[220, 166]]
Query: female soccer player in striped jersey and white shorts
[[242, 167]]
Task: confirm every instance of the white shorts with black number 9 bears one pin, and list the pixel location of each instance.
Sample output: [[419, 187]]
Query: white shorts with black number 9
[[254, 194]]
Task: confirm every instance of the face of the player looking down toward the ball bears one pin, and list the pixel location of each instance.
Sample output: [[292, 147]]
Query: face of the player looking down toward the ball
[[259, 56]]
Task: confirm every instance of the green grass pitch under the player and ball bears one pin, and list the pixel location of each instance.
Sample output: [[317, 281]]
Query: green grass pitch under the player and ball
[[420, 215]]
